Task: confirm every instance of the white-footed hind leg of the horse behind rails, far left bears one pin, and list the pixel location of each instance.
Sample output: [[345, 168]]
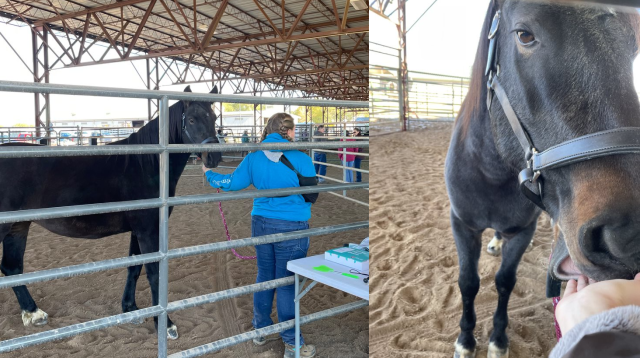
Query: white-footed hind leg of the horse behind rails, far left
[[13, 246]]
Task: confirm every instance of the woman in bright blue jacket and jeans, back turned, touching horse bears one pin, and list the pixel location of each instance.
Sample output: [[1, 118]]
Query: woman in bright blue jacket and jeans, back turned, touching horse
[[264, 170]]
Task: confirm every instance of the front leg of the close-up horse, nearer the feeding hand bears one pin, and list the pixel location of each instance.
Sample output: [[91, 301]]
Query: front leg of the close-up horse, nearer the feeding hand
[[512, 252]]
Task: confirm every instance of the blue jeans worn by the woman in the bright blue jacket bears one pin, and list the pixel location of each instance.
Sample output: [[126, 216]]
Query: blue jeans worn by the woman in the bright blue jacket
[[272, 264]]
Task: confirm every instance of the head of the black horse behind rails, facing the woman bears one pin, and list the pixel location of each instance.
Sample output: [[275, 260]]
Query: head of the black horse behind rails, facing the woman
[[199, 127]]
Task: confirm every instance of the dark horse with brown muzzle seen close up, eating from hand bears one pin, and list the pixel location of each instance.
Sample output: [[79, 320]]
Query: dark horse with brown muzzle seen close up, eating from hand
[[567, 72]]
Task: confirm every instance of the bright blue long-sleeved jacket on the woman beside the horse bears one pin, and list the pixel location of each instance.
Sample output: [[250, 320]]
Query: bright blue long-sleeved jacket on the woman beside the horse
[[264, 171]]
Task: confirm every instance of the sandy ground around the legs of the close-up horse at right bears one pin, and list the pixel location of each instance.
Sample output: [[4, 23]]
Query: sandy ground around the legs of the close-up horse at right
[[415, 301]]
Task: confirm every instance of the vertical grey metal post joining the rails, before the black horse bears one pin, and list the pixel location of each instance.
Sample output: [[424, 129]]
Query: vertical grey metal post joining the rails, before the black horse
[[163, 285]]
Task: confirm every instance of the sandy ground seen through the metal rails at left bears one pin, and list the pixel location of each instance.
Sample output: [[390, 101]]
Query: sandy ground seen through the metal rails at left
[[87, 297]]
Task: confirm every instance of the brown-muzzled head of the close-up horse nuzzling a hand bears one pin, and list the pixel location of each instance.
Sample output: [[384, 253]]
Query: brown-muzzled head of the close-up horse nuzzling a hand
[[567, 72]]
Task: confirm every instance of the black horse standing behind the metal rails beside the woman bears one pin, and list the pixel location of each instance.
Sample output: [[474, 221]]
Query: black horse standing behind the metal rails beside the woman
[[33, 183]]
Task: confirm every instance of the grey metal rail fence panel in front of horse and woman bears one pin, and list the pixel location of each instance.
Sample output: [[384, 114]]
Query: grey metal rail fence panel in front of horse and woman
[[163, 203]]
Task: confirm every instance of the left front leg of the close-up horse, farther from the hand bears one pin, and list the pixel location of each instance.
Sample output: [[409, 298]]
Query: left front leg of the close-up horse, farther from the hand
[[469, 245]]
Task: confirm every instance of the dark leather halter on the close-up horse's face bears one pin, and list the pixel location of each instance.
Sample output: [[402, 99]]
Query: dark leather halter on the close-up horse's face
[[624, 140]]
